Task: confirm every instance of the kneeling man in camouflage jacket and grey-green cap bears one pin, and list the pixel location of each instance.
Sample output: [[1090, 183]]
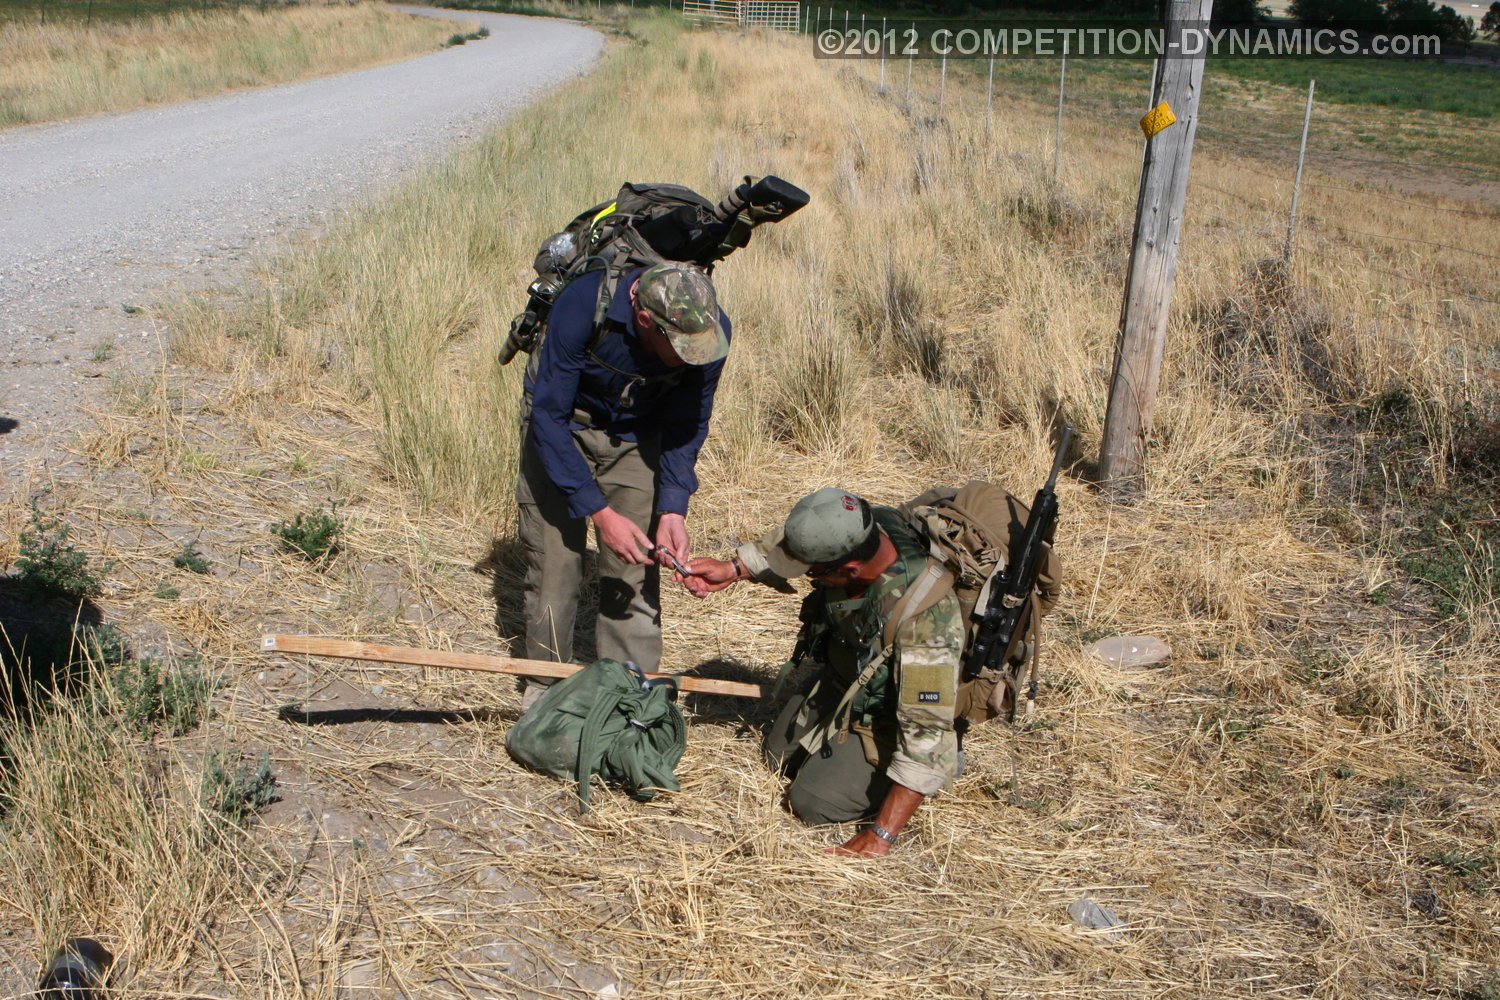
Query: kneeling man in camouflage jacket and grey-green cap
[[875, 734]]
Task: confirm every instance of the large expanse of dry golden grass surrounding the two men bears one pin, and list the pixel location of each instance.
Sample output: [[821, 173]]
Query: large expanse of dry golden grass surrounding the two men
[[1300, 804]]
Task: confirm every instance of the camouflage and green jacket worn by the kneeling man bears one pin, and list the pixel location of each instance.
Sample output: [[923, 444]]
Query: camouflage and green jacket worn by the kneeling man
[[905, 711]]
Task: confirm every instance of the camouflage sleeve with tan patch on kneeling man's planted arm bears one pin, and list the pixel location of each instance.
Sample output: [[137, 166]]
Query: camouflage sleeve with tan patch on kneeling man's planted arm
[[929, 662]]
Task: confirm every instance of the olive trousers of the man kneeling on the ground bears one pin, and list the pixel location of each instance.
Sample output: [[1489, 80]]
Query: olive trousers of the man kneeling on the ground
[[830, 786]]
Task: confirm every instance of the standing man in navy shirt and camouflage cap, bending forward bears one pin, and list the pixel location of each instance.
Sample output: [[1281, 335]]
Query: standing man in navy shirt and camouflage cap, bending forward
[[611, 425]]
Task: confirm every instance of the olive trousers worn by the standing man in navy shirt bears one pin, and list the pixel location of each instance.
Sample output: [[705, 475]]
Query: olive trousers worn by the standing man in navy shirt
[[553, 540]]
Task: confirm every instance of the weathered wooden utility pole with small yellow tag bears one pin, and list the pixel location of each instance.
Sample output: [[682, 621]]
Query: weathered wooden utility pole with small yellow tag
[[1171, 127]]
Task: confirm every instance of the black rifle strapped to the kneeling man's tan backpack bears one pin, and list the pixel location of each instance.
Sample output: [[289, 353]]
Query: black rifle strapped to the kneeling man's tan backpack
[[1012, 590]]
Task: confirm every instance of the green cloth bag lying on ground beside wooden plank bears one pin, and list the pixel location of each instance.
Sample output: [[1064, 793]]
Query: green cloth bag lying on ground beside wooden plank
[[605, 720]]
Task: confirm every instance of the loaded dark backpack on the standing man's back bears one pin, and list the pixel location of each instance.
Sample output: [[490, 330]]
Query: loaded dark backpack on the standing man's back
[[644, 226]]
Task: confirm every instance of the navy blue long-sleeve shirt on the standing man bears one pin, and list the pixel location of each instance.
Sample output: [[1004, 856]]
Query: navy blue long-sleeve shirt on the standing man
[[622, 389]]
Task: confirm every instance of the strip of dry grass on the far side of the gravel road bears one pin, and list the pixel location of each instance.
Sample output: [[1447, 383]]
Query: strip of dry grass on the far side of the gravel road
[[62, 70]]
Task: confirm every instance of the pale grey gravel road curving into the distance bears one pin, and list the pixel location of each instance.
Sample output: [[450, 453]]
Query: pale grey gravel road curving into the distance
[[119, 211]]
